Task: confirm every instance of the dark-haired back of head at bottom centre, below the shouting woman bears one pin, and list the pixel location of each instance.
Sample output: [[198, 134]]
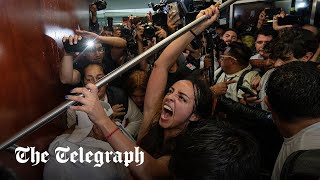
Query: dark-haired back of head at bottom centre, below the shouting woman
[[215, 151]]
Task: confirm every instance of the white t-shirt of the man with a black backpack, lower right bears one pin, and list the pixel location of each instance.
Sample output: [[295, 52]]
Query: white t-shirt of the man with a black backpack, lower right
[[308, 138]]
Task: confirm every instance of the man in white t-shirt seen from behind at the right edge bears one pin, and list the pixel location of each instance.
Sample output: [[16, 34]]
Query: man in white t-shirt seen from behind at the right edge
[[292, 96]]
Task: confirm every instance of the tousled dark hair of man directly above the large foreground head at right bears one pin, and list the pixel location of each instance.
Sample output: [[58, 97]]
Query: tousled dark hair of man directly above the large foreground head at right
[[297, 41]]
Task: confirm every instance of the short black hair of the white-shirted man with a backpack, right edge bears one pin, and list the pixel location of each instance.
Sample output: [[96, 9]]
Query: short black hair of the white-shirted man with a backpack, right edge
[[293, 91]]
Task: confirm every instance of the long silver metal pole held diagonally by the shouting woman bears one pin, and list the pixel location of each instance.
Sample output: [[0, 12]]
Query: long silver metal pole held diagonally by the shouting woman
[[48, 117]]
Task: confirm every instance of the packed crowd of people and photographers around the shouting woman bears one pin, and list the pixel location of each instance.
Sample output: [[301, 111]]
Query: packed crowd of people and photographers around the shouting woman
[[198, 110]]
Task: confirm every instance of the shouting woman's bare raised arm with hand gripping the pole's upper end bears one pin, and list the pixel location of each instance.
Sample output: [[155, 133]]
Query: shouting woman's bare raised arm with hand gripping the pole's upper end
[[158, 79]]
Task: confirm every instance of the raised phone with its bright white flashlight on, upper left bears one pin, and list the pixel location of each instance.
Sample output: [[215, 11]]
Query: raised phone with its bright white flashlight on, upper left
[[81, 45]]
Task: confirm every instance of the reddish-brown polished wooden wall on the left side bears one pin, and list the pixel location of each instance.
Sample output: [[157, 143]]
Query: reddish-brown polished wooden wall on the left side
[[30, 56]]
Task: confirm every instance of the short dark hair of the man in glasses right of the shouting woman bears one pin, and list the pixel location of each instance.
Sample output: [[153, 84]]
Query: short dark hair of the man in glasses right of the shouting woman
[[240, 51]]
